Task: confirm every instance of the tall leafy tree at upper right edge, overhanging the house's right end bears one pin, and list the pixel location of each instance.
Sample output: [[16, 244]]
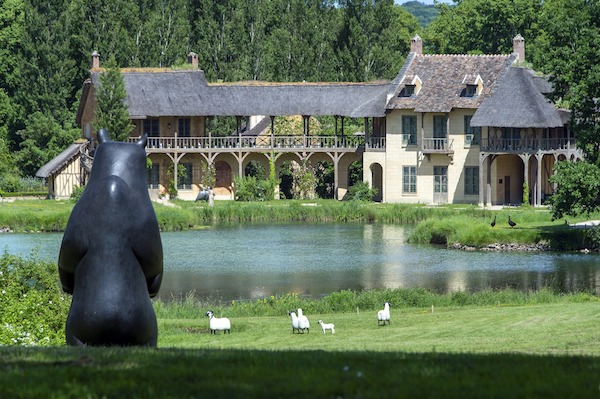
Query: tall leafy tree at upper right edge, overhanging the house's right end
[[568, 51]]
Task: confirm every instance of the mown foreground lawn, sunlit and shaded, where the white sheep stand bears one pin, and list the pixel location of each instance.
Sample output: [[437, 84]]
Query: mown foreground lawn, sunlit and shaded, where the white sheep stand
[[533, 351]]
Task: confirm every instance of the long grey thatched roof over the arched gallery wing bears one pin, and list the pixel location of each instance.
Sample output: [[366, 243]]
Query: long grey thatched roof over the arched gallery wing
[[152, 93]]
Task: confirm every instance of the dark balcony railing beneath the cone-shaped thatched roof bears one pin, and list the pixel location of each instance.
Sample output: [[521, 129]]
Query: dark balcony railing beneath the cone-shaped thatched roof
[[527, 144]]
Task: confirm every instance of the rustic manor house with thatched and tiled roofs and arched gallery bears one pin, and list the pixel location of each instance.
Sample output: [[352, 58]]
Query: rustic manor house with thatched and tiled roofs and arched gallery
[[447, 129]]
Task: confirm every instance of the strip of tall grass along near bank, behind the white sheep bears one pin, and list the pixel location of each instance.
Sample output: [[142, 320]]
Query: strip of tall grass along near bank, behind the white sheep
[[348, 301]]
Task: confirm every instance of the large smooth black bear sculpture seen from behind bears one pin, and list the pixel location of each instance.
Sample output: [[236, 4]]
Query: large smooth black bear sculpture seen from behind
[[111, 256]]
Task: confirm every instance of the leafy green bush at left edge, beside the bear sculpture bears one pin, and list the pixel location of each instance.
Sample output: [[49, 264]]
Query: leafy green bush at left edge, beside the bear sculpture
[[34, 309]]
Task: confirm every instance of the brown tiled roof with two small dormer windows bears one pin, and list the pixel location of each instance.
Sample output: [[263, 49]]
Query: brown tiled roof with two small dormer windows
[[443, 78]]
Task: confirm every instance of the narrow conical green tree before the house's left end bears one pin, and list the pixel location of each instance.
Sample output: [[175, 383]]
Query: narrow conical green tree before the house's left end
[[111, 110]]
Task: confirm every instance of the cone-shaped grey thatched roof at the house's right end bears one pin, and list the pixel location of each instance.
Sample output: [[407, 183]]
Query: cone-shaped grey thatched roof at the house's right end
[[517, 102]]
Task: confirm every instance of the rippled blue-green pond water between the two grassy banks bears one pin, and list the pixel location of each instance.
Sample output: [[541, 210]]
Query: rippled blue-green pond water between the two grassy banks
[[249, 261]]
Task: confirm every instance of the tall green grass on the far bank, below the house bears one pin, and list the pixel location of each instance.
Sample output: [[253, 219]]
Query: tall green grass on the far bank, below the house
[[464, 224]]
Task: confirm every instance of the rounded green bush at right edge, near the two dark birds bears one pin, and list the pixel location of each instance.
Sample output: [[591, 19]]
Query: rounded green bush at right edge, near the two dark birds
[[578, 189]]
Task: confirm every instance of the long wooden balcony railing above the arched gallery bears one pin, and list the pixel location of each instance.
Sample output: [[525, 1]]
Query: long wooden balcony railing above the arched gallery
[[260, 142]]
